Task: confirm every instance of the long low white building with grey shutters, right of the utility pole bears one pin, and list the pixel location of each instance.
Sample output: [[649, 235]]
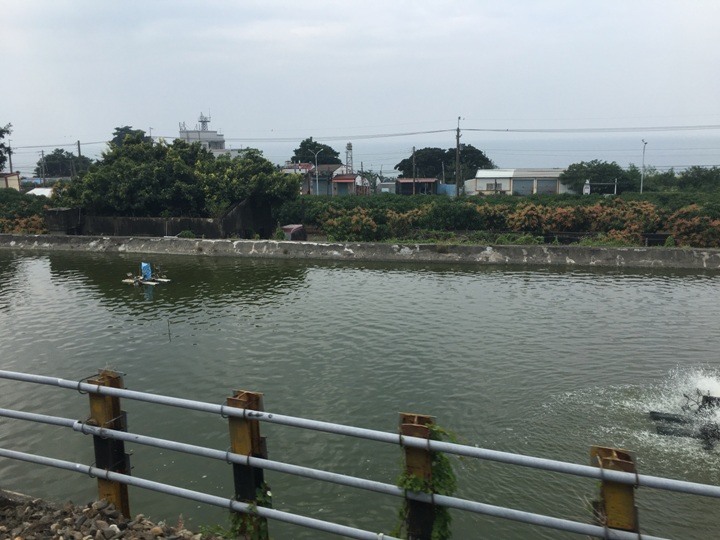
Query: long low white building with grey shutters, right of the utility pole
[[516, 182]]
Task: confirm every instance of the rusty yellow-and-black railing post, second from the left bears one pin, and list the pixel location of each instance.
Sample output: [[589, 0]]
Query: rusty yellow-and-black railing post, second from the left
[[249, 481]]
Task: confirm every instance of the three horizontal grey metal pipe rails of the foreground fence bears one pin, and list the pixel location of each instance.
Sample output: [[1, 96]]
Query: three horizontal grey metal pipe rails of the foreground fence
[[603, 474]]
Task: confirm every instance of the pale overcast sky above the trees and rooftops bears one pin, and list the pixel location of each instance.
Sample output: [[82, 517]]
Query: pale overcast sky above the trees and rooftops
[[386, 76]]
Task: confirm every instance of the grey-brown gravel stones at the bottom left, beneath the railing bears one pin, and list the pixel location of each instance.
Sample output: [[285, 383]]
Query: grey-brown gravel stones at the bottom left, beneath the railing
[[22, 518]]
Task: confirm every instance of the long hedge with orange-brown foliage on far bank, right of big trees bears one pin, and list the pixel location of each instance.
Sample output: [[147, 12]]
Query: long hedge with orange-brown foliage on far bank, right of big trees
[[622, 220]]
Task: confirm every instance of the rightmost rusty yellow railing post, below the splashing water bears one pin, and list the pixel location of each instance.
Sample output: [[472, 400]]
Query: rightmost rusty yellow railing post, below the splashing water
[[616, 508]]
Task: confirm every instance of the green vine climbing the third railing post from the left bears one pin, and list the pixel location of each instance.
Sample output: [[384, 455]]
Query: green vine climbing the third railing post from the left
[[443, 482]]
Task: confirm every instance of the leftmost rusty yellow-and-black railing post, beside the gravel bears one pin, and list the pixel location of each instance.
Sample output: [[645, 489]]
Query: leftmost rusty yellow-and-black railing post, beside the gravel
[[109, 453]]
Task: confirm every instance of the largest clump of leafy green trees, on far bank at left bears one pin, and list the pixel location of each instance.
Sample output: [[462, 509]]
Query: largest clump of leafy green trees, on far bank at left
[[139, 178]]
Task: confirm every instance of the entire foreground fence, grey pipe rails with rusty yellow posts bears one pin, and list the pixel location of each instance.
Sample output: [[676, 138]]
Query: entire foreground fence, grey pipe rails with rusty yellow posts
[[615, 514]]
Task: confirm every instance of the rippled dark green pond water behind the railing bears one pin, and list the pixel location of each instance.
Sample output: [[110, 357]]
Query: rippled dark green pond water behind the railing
[[542, 362]]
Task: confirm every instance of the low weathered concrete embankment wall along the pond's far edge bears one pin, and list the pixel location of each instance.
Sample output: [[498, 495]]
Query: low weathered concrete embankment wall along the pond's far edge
[[546, 255]]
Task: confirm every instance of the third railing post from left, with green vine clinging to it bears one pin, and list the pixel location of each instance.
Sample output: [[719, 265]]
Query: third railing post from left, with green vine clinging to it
[[418, 463]]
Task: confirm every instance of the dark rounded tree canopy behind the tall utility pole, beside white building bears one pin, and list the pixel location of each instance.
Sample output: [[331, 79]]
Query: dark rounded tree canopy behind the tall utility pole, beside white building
[[432, 162]]
